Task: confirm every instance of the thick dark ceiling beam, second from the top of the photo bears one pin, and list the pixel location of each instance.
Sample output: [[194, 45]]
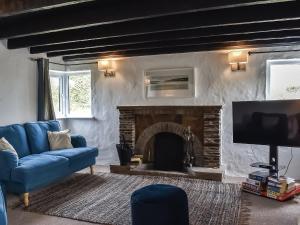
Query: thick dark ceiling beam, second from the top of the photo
[[217, 18]]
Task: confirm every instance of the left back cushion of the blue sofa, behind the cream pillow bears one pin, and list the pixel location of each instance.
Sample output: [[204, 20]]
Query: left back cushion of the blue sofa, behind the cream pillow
[[16, 136]]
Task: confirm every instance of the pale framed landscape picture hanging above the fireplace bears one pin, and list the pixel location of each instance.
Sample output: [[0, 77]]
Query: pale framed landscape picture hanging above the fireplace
[[170, 83]]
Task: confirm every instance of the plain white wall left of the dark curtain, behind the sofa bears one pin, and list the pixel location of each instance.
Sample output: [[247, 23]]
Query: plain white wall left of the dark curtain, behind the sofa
[[18, 102]]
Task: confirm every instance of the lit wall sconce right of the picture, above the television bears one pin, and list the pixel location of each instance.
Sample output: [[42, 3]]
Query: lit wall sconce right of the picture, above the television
[[238, 60]]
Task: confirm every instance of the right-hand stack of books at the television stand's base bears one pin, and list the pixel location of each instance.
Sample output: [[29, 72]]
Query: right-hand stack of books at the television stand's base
[[280, 186]]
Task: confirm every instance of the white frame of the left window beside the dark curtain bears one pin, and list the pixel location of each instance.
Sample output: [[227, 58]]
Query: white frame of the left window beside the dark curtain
[[64, 92]]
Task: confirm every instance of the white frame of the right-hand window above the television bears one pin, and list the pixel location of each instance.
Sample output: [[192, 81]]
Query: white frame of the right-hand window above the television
[[268, 73]]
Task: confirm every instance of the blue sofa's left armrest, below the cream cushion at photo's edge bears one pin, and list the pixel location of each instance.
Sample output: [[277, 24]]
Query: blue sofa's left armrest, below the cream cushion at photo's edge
[[8, 161]]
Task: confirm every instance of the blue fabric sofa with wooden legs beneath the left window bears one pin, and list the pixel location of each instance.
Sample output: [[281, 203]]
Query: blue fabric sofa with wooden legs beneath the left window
[[37, 166]]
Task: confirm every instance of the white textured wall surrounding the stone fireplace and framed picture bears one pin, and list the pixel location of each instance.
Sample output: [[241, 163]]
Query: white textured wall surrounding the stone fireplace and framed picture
[[215, 84]]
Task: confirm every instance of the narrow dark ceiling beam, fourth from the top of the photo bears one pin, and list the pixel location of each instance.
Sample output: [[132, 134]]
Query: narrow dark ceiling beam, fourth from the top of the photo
[[281, 35]]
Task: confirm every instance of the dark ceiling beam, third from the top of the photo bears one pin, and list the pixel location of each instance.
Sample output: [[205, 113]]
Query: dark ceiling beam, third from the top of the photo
[[245, 29]]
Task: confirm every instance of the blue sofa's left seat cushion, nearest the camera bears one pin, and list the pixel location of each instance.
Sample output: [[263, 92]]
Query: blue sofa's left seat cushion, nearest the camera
[[39, 168]]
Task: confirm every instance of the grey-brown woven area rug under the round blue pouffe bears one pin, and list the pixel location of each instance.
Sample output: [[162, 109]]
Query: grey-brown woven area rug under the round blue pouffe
[[105, 199]]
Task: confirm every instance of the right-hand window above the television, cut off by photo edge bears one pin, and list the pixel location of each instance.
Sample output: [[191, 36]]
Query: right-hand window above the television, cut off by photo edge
[[283, 79]]
